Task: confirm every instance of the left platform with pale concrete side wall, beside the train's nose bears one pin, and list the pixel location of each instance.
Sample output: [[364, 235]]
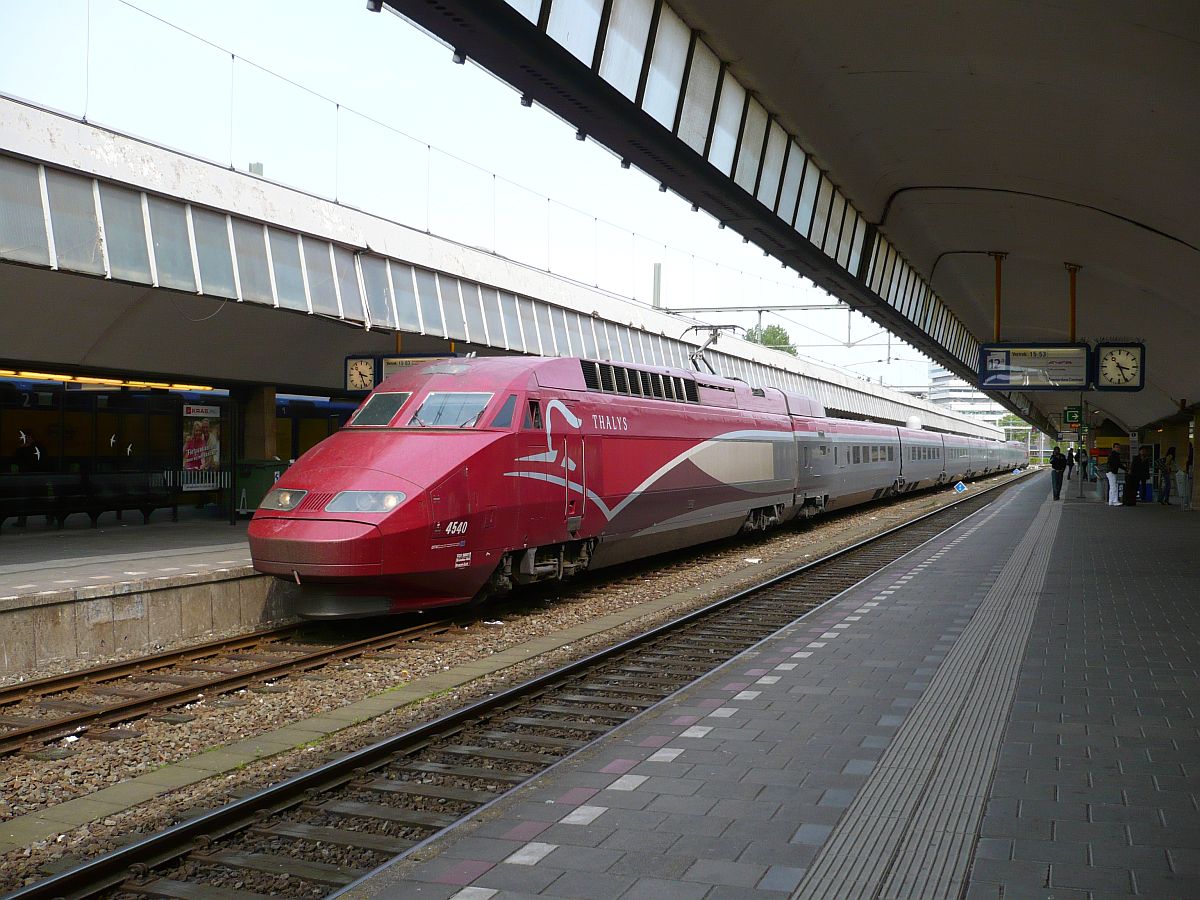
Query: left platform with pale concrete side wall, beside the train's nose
[[79, 593]]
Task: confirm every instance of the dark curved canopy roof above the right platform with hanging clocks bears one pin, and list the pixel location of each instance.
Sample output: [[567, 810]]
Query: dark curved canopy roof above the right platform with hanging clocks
[[1054, 133]]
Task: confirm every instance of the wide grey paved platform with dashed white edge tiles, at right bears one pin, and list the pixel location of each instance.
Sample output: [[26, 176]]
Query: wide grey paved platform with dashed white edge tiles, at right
[[1007, 712]]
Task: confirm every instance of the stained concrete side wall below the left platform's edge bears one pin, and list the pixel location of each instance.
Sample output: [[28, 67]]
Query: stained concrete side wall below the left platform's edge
[[101, 622]]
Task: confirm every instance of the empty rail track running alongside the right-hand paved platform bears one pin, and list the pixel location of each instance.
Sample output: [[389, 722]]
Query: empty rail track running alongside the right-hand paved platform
[[325, 829]]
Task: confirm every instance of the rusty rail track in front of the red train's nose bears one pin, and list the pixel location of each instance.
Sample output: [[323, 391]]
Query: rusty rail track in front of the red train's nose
[[91, 701]]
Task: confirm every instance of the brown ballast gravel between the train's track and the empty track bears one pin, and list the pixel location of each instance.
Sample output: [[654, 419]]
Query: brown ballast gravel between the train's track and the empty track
[[28, 785]]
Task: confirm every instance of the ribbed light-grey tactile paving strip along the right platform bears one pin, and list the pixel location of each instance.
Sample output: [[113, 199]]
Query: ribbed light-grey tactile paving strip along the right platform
[[910, 831]]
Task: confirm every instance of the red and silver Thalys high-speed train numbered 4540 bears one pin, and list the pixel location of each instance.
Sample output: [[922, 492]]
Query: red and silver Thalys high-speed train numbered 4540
[[461, 479]]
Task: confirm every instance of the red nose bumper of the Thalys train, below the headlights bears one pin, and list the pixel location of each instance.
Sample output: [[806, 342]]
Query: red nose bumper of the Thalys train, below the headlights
[[311, 548]]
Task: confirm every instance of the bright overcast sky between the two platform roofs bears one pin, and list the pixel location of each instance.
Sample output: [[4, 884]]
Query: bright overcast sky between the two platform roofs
[[368, 110]]
